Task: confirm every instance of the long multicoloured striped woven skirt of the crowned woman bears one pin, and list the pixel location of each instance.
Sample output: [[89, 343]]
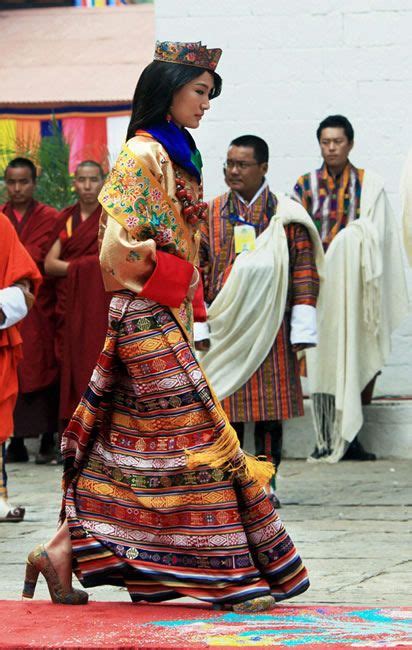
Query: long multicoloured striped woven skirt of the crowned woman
[[137, 515]]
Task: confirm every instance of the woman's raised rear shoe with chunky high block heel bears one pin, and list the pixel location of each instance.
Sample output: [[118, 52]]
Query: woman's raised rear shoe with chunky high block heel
[[38, 561]]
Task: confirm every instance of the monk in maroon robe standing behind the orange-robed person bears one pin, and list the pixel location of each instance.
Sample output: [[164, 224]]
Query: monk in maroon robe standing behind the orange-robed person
[[36, 413]]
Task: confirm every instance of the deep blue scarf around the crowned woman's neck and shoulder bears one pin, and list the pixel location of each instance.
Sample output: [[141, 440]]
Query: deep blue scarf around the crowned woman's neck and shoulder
[[180, 146]]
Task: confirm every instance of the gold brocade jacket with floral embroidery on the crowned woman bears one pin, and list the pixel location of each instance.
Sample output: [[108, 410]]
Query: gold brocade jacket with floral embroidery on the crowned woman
[[142, 214]]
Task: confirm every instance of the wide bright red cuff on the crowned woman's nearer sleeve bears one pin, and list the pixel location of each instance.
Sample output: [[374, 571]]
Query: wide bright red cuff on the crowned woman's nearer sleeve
[[169, 283]]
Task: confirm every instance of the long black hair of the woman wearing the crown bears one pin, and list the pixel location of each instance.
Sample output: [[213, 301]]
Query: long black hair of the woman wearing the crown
[[155, 88]]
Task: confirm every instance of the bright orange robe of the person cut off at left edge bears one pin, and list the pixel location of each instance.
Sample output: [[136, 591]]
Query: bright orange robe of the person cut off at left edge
[[15, 265]]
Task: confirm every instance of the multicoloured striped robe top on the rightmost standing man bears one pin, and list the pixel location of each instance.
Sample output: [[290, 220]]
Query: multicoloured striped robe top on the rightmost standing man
[[331, 202]]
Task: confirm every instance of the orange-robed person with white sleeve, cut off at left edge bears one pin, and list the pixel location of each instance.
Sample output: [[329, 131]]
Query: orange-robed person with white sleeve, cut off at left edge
[[19, 282]]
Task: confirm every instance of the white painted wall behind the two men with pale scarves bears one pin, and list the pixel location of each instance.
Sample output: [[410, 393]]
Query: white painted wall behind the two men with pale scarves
[[286, 65]]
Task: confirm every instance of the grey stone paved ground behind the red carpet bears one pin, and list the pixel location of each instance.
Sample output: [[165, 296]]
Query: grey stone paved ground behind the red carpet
[[349, 521]]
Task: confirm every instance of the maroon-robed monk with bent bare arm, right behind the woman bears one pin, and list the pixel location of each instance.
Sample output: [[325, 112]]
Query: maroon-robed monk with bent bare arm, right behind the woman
[[82, 303]]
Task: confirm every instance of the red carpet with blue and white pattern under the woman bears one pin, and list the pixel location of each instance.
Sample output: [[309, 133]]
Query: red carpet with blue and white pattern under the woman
[[124, 626]]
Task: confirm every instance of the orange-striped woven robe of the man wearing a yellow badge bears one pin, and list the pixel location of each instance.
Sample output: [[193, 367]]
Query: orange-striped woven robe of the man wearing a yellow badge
[[274, 391]]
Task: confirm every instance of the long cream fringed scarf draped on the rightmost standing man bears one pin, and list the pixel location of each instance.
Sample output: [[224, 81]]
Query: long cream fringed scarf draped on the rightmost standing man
[[362, 301]]
